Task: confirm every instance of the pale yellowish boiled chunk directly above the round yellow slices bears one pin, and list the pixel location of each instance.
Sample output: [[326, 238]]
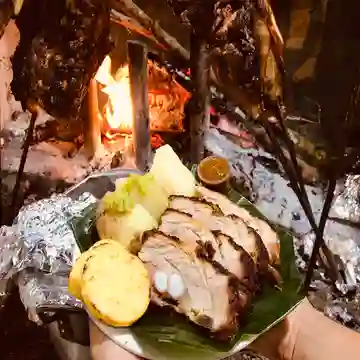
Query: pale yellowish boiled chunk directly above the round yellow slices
[[126, 228]]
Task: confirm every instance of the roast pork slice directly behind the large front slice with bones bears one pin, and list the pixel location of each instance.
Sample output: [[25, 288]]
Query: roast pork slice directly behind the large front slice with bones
[[195, 236]]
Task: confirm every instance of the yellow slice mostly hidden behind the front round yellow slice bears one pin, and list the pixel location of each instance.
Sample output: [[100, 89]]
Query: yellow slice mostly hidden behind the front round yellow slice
[[75, 277]]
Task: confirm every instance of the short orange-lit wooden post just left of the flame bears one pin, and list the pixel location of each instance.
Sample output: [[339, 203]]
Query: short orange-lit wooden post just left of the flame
[[92, 142]]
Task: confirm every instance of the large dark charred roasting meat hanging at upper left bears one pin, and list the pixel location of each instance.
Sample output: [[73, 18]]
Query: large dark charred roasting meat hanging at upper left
[[59, 53]]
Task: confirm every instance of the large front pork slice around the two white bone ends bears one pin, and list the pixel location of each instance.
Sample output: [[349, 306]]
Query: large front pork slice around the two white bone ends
[[211, 298]]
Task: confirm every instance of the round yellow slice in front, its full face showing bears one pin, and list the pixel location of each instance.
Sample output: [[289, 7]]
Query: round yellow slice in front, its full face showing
[[115, 287]]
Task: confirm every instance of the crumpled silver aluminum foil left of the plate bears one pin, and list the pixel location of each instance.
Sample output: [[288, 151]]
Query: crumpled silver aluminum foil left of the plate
[[41, 247]]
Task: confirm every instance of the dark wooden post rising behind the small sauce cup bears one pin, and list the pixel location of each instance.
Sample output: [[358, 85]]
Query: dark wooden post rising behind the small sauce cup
[[200, 102]]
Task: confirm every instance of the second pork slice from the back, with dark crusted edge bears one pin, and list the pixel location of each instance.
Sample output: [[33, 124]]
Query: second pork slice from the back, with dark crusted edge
[[231, 226]]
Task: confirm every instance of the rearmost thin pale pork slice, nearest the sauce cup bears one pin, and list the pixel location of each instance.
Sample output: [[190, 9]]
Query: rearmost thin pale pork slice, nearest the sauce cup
[[267, 234]]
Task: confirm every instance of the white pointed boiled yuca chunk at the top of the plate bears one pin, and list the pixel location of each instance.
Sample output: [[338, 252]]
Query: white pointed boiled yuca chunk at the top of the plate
[[171, 173]]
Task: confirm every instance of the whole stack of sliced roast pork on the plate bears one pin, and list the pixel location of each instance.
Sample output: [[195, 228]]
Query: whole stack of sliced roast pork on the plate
[[207, 260]]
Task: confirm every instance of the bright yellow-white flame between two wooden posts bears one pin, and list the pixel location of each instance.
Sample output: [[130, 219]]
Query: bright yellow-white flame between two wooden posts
[[118, 110]]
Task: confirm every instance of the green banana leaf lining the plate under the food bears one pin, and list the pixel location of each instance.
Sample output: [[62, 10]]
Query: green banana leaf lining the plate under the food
[[164, 335]]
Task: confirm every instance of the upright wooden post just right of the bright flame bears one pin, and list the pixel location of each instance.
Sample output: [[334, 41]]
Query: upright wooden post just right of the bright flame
[[138, 76]]
